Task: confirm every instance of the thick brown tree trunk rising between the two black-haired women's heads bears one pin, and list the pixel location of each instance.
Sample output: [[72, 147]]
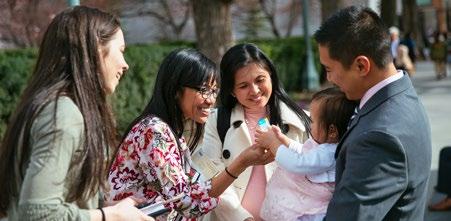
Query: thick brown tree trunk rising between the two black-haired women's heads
[[213, 27]]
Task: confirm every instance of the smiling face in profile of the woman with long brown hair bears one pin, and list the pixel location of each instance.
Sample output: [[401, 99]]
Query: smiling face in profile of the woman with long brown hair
[[113, 62]]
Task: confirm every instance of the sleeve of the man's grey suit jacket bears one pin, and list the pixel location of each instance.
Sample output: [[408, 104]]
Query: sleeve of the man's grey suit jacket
[[374, 176]]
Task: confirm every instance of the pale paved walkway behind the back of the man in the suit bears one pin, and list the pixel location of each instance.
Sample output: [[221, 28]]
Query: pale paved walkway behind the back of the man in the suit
[[436, 97]]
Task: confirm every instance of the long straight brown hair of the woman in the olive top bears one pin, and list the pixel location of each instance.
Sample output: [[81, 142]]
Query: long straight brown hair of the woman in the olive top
[[68, 64]]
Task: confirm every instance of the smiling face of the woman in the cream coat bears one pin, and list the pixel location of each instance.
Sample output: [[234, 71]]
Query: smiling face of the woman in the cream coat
[[252, 87]]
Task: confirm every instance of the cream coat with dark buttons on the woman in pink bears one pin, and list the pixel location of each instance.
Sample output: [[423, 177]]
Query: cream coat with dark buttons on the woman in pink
[[235, 141]]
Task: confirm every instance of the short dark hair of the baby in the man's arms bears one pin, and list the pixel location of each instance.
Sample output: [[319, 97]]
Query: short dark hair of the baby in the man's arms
[[334, 109]]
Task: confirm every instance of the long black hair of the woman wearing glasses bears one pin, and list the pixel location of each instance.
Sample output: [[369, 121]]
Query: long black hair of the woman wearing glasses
[[181, 68]]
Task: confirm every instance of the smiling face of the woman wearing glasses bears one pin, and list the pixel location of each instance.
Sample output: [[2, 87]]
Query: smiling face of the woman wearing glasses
[[194, 106]]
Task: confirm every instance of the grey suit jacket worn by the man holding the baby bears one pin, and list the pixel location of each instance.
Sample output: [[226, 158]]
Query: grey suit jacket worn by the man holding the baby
[[384, 159]]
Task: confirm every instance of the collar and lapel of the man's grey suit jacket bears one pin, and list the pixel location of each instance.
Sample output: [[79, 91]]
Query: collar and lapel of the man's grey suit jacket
[[376, 100]]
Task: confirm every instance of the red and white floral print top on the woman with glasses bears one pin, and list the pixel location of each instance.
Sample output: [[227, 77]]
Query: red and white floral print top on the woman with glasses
[[150, 165]]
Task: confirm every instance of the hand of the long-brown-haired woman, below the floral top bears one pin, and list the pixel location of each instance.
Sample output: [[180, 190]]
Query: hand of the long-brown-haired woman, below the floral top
[[125, 210]]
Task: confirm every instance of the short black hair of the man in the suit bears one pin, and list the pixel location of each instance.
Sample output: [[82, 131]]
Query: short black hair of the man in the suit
[[355, 31]]
